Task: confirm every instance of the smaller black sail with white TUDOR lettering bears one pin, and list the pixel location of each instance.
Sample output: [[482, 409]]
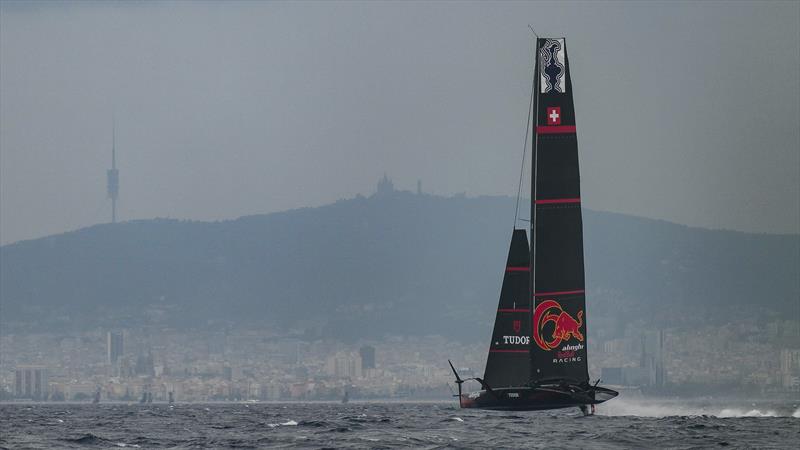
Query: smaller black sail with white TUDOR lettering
[[508, 362]]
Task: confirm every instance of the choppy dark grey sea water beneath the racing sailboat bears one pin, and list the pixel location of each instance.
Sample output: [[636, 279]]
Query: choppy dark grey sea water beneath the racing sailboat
[[385, 425]]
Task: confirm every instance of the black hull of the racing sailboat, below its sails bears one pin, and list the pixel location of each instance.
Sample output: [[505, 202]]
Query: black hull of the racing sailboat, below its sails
[[535, 399]]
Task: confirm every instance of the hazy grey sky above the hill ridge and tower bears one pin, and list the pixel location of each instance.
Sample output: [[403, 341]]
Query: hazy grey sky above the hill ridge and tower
[[686, 112]]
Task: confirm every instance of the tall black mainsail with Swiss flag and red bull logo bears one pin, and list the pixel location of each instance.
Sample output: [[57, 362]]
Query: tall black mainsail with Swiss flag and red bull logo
[[558, 319]]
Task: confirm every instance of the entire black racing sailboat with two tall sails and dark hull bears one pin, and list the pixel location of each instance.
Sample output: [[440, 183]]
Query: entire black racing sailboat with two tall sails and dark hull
[[537, 355]]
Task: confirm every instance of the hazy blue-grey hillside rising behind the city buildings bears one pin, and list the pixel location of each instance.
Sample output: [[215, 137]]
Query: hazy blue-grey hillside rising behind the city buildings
[[390, 263]]
